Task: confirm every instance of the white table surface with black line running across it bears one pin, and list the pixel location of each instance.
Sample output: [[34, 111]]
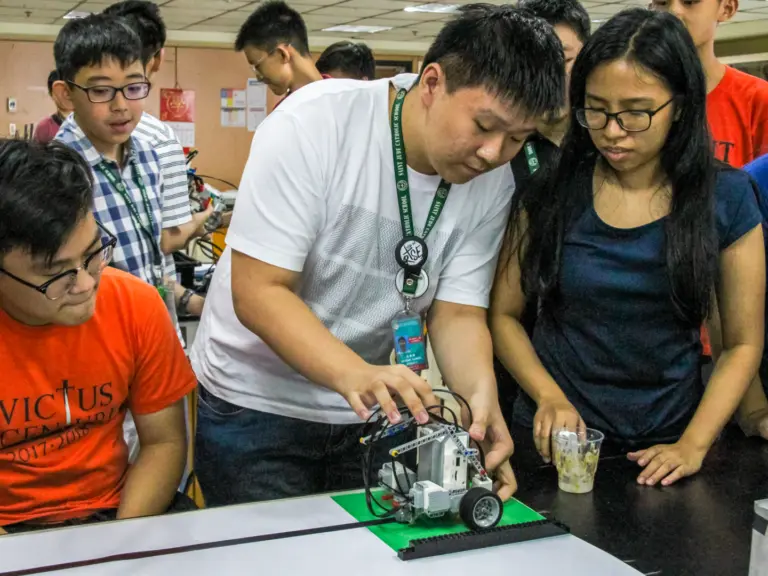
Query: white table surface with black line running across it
[[352, 552]]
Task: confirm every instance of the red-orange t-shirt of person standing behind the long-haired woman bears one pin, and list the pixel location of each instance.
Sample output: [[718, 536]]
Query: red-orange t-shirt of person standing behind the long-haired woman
[[737, 113]]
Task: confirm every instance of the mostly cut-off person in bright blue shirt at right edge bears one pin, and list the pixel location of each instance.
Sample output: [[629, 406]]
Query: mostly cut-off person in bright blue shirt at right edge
[[753, 412]]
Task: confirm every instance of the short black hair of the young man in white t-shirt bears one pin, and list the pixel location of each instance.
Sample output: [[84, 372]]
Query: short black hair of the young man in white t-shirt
[[507, 51]]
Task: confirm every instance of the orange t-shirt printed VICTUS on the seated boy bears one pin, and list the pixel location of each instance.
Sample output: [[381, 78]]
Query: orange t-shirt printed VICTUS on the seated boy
[[63, 398]]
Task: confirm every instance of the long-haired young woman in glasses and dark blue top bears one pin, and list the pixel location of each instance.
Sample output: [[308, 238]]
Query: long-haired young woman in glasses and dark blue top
[[636, 239]]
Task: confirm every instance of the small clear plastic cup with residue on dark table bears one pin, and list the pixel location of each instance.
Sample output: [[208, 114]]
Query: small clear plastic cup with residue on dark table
[[576, 459]]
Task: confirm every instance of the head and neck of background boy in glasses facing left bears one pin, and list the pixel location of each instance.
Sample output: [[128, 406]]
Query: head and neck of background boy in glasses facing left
[[275, 43]]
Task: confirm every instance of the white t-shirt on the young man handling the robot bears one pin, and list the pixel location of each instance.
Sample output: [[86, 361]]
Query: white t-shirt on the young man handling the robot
[[318, 197]]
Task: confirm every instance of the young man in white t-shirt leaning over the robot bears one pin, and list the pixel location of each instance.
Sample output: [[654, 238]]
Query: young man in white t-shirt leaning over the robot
[[293, 348]]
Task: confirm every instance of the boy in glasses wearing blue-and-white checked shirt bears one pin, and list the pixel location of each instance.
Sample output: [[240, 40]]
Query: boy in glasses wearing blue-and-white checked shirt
[[99, 59]]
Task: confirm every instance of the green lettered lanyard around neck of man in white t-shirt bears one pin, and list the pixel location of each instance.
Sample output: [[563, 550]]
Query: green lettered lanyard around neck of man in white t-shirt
[[411, 251]]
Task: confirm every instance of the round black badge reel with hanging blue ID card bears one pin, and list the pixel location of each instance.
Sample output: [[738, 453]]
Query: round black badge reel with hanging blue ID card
[[412, 282]]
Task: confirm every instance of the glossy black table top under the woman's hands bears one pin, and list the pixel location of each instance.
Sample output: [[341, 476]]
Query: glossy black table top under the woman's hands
[[700, 526]]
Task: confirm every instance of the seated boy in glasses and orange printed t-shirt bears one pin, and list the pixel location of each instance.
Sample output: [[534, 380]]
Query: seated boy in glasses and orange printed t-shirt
[[79, 344]]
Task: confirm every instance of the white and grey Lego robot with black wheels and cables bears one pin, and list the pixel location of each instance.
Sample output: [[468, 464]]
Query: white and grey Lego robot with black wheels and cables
[[441, 483]]
